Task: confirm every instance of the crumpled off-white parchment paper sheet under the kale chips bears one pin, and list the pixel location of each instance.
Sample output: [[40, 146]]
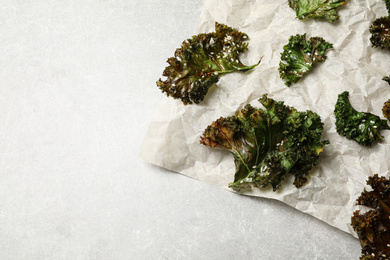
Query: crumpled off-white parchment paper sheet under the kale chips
[[172, 140]]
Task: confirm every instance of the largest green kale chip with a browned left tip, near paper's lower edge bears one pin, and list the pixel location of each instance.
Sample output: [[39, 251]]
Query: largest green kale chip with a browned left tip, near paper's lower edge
[[268, 144]]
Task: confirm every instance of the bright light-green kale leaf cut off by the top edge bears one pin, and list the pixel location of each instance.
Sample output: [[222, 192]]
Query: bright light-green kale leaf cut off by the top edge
[[317, 9]]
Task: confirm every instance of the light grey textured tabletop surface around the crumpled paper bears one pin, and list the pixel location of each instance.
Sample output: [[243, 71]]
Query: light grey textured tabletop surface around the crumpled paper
[[77, 91]]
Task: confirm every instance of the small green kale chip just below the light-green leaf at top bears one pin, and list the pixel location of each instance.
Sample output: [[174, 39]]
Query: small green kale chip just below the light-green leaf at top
[[298, 57]]
